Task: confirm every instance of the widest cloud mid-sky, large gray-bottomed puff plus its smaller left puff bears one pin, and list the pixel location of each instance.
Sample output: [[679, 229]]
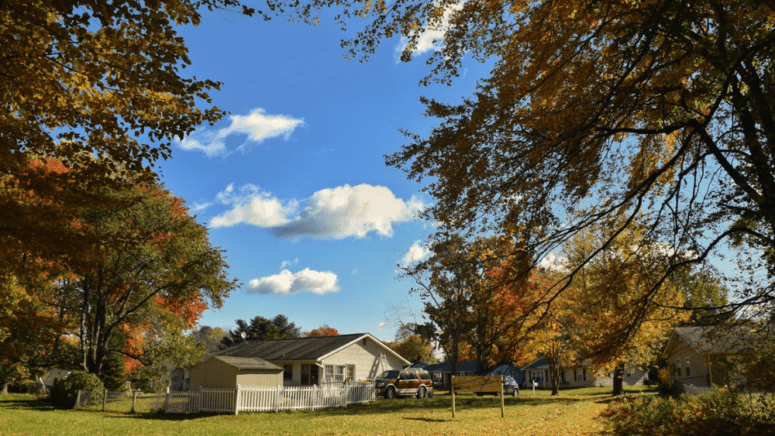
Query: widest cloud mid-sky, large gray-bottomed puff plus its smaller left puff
[[338, 213]]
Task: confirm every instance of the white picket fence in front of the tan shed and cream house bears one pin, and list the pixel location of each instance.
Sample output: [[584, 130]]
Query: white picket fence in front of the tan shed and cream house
[[266, 399]]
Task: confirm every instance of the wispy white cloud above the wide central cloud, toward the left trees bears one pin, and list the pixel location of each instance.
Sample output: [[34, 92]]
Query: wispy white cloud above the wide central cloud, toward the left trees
[[257, 126]]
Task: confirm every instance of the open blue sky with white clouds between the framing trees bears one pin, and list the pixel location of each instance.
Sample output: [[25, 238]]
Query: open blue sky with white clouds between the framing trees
[[293, 182]]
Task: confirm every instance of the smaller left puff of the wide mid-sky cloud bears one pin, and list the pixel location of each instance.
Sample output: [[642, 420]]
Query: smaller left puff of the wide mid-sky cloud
[[252, 206]]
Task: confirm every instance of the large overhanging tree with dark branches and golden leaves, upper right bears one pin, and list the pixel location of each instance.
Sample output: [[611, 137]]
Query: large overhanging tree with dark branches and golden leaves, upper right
[[659, 110]]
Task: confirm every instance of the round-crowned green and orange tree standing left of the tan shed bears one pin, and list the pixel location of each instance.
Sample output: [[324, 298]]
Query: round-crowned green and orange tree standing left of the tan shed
[[155, 270]]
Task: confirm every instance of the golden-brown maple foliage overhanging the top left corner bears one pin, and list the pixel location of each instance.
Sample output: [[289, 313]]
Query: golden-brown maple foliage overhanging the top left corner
[[93, 95]]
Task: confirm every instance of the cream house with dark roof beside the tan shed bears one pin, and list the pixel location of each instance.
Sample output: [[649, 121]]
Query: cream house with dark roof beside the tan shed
[[323, 359]]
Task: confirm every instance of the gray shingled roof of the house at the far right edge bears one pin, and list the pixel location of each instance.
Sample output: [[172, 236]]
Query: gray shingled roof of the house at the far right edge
[[721, 340]]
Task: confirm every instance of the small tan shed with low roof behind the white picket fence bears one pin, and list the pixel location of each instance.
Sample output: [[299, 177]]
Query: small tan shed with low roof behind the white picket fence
[[228, 372]]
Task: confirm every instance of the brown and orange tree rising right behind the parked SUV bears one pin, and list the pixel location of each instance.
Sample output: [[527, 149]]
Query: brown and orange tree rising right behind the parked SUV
[[465, 287]]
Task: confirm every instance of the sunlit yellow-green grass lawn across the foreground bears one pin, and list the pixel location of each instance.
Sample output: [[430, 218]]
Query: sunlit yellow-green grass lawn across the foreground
[[573, 413]]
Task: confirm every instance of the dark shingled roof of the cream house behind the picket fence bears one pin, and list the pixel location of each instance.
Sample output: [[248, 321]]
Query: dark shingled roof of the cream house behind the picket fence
[[304, 349]]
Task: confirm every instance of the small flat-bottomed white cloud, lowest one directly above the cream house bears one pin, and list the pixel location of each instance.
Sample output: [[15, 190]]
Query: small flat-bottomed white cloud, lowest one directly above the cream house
[[287, 283]]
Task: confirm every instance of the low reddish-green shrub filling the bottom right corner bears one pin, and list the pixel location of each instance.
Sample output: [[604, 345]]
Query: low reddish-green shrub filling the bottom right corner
[[720, 412]]
